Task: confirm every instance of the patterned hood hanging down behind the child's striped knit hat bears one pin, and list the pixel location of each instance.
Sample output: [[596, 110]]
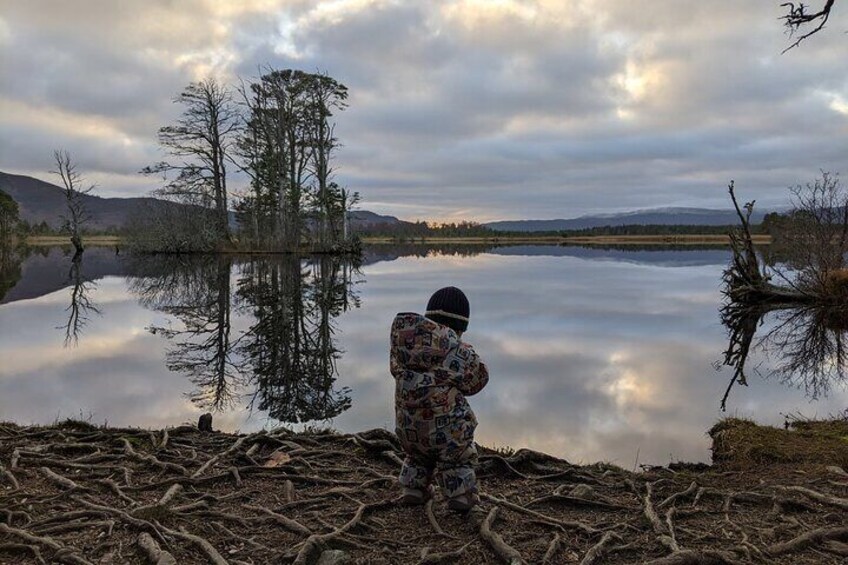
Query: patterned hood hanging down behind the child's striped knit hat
[[419, 342]]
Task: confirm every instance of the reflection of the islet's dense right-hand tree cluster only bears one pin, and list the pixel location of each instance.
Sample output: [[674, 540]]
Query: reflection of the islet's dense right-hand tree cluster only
[[291, 351]]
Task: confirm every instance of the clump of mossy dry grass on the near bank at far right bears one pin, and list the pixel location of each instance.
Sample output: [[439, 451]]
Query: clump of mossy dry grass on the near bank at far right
[[742, 444]]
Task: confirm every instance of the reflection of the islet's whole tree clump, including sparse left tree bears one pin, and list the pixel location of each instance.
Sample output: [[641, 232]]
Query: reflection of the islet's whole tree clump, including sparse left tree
[[284, 363]]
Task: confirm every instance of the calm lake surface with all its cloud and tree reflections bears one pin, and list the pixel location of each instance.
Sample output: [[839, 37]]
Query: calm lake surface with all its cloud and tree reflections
[[594, 354]]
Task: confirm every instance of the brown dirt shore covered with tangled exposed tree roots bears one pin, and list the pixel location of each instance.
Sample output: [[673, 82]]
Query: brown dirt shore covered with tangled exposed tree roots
[[75, 493]]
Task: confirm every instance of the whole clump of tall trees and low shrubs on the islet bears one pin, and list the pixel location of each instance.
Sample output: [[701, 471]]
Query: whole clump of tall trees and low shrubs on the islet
[[279, 131]]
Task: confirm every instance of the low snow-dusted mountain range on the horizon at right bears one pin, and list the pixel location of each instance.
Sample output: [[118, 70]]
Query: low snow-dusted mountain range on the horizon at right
[[656, 216]]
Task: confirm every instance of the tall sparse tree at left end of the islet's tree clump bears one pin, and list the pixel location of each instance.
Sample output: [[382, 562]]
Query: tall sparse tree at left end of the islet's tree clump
[[201, 140]]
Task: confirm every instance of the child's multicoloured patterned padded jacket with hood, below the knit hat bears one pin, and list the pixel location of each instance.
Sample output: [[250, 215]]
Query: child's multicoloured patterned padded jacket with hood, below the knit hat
[[434, 372]]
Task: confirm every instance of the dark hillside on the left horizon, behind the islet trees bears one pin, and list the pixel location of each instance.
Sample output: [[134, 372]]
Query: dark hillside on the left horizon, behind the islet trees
[[41, 201]]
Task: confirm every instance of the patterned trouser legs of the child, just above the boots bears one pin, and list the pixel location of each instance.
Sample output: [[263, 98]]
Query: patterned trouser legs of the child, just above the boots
[[452, 467]]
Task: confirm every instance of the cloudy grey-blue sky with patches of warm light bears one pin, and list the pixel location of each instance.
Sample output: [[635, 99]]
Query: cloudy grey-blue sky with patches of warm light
[[461, 109]]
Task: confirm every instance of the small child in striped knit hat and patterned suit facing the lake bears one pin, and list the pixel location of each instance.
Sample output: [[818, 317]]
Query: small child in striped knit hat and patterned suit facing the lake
[[434, 371]]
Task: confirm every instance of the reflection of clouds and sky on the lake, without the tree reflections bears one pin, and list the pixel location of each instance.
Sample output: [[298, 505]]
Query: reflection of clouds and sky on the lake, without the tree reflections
[[590, 359]]
